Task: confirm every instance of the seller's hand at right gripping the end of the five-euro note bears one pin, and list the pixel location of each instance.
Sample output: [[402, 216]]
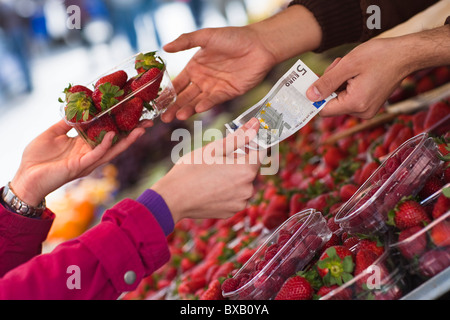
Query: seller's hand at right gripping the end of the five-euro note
[[371, 72]]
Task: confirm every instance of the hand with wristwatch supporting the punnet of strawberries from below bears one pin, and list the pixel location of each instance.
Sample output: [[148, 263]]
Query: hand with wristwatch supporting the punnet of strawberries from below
[[53, 159]]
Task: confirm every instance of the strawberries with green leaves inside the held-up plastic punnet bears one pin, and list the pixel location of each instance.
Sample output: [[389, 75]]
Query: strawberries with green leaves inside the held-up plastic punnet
[[124, 97]]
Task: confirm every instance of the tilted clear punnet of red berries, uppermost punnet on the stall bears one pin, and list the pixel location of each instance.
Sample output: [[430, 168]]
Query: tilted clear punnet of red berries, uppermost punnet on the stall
[[400, 174]]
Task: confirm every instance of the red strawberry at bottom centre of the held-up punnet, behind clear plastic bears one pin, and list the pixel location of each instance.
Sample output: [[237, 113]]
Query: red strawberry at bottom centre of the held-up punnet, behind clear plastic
[[127, 114]]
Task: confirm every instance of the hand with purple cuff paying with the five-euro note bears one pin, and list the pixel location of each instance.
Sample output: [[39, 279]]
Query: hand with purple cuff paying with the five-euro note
[[212, 182]]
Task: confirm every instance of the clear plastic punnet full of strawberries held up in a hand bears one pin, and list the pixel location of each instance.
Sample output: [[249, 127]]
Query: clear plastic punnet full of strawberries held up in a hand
[[127, 96]]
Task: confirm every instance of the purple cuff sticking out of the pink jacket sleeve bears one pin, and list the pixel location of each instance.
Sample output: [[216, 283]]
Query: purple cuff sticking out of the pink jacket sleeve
[[158, 207]]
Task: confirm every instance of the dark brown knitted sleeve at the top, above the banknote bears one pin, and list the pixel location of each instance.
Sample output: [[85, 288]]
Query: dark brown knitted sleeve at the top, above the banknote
[[345, 21]]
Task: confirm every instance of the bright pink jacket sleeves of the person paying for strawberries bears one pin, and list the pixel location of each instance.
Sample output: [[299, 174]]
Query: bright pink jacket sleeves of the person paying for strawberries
[[107, 260]]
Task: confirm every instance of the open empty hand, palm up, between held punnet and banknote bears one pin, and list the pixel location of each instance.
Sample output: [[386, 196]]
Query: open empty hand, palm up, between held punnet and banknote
[[231, 61]]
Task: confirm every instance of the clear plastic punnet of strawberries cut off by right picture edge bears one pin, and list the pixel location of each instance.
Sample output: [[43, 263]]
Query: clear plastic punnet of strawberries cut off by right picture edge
[[427, 250]]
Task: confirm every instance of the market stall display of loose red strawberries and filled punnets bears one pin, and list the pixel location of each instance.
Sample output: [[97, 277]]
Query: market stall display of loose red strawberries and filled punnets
[[408, 156]]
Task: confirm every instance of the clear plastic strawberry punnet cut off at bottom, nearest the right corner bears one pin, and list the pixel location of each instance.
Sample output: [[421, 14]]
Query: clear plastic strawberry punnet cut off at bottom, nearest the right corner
[[384, 279]]
